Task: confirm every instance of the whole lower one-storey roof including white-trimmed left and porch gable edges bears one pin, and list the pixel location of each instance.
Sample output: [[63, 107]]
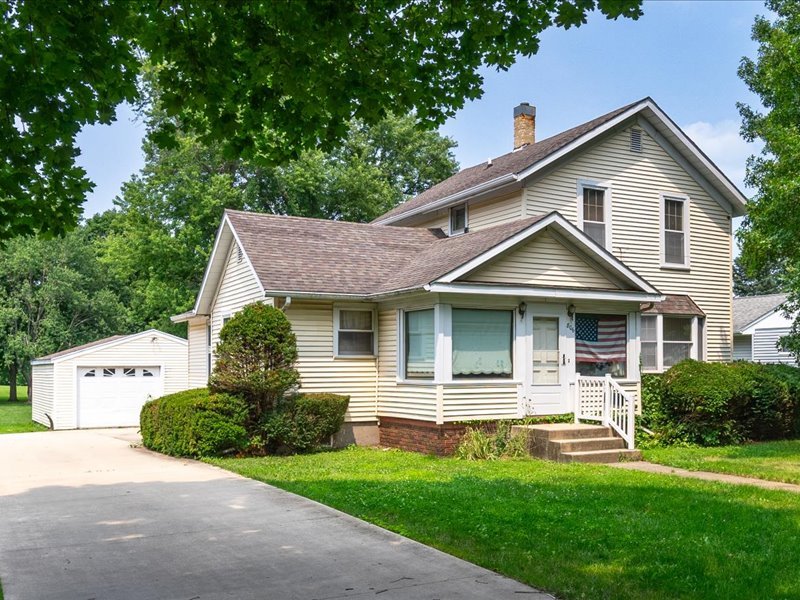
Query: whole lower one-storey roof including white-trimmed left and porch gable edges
[[295, 256]]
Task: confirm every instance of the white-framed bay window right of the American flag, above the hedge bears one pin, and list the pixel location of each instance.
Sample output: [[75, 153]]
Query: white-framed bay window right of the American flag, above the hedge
[[666, 340]]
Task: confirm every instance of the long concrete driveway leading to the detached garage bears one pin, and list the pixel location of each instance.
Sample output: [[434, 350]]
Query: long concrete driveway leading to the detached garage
[[84, 515]]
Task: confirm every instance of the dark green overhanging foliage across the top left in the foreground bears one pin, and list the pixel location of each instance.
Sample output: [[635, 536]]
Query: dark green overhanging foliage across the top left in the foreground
[[265, 80]]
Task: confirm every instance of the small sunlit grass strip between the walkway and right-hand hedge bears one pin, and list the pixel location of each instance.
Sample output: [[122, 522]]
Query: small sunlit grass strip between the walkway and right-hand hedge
[[777, 461]]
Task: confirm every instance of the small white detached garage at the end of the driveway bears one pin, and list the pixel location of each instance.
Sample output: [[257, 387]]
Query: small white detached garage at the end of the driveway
[[105, 383]]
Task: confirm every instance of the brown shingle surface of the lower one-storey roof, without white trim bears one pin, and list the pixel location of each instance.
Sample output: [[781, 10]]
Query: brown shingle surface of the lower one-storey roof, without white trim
[[295, 254]]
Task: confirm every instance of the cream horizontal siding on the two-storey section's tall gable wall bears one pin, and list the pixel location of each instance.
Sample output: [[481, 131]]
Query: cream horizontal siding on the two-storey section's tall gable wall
[[636, 181]]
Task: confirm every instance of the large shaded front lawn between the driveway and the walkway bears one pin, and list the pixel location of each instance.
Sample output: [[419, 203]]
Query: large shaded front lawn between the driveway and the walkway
[[578, 531]]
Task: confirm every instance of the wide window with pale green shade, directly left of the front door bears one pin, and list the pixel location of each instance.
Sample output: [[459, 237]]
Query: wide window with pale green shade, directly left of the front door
[[482, 343]]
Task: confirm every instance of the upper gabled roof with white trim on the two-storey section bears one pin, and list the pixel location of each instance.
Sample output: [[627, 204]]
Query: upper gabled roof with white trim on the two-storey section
[[516, 166]]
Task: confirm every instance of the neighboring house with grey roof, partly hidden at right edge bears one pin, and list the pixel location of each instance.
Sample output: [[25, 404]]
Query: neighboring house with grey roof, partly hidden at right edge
[[758, 323]]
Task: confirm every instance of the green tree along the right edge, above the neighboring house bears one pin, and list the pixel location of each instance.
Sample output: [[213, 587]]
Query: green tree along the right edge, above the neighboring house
[[771, 230]]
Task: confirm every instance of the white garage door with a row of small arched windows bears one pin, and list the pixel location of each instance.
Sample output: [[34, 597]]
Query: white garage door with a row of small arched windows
[[113, 396]]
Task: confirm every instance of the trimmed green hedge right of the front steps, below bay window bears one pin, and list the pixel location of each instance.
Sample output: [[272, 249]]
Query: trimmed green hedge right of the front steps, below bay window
[[713, 404]]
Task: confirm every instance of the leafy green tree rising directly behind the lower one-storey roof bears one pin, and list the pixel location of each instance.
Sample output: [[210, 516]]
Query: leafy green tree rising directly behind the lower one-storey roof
[[159, 239]]
